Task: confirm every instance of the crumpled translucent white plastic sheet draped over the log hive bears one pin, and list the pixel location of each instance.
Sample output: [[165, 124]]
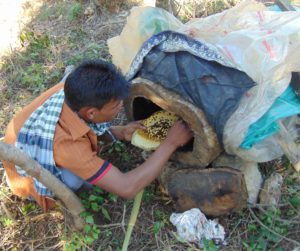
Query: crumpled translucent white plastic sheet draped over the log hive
[[262, 43]]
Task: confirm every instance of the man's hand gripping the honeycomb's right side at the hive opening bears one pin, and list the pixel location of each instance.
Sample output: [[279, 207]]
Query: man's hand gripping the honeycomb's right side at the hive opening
[[179, 134]]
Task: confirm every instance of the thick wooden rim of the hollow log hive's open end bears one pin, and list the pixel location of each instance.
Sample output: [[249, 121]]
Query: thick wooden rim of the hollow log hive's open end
[[147, 97]]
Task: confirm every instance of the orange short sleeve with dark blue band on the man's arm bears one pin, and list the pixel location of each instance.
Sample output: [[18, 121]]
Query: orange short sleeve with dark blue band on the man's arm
[[78, 157]]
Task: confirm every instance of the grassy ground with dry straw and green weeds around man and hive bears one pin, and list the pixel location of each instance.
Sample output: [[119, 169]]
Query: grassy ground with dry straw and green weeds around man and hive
[[61, 34]]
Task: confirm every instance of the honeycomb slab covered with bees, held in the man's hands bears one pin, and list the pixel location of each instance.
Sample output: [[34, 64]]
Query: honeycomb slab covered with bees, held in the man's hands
[[157, 127]]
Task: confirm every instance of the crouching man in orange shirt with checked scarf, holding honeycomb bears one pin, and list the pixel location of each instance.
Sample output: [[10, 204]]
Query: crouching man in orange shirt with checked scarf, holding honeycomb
[[59, 130]]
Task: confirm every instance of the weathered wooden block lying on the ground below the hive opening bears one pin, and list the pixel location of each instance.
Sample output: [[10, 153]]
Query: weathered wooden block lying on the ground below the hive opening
[[216, 191]]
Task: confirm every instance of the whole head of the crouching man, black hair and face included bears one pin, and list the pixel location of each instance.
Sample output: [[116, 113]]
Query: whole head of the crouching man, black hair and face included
[[96, 89]]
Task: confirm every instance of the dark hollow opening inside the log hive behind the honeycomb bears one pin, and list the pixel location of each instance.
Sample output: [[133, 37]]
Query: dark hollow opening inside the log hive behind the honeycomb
[[143, 108]]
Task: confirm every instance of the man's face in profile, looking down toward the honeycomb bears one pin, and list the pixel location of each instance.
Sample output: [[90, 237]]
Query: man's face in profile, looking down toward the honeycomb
[[108, 112]]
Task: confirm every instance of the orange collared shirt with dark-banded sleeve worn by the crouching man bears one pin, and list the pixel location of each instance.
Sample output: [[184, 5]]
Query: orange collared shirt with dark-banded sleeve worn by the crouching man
[[74, 148]]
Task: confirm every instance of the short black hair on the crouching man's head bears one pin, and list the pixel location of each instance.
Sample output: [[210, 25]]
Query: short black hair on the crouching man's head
[[94, 83]]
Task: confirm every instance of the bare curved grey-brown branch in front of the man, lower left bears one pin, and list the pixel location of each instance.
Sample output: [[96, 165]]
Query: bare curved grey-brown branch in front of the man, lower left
[[11, 154]]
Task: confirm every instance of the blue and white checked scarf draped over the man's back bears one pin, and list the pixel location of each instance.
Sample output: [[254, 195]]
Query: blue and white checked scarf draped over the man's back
[[36, 137]]
